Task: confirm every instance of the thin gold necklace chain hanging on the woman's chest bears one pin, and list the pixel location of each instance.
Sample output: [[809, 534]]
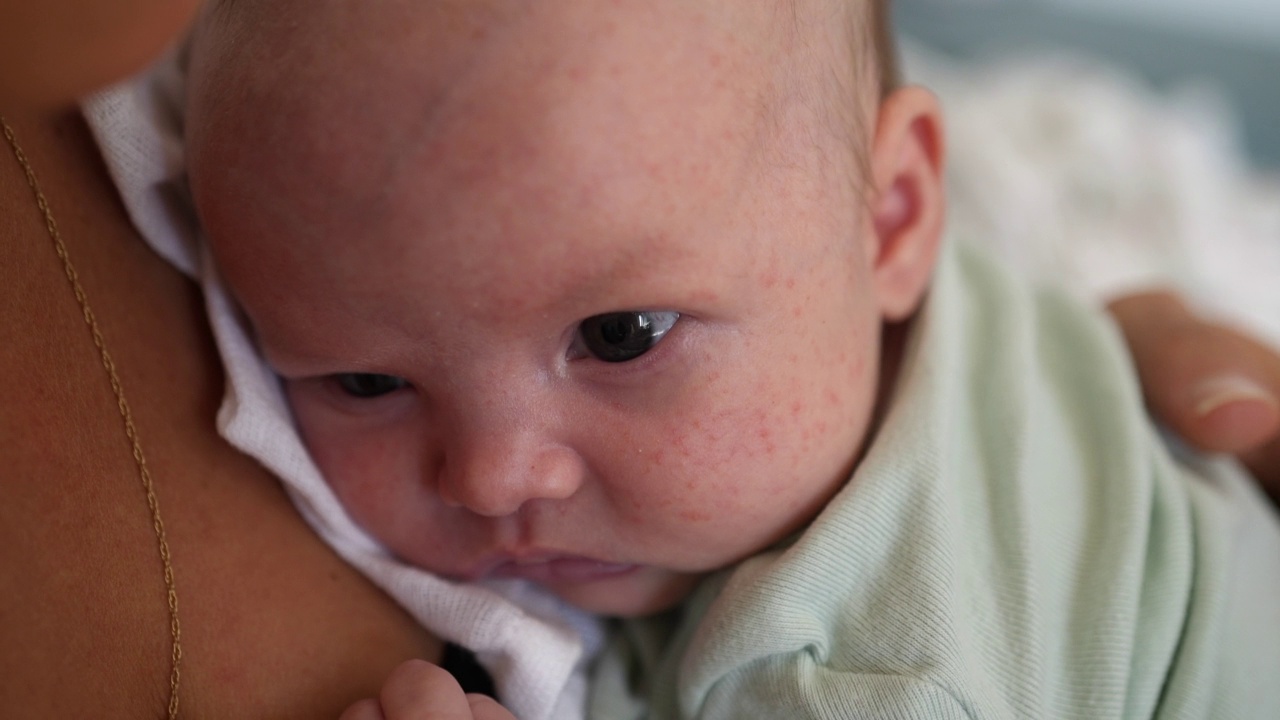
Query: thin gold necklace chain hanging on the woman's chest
[[126, 414]]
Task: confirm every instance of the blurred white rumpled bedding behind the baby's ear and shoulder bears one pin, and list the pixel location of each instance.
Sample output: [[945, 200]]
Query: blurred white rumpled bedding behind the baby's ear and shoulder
[[1081, 175]]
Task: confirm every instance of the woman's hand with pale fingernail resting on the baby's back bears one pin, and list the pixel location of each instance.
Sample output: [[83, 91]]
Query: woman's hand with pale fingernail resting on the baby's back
[[1215, 388]]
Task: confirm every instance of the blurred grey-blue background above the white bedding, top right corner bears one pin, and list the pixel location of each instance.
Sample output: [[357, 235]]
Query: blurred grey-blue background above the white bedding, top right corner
[[1232, 45]]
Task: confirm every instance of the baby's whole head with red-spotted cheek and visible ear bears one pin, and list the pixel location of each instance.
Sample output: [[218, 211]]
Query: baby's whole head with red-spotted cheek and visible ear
[[583, 293]]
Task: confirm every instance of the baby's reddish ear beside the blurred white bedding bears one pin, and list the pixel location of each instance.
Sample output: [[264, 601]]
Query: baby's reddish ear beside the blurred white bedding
[[908, 199]]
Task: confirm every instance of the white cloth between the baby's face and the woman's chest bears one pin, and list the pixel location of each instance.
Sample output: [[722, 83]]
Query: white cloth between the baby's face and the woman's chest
[[533, 645]]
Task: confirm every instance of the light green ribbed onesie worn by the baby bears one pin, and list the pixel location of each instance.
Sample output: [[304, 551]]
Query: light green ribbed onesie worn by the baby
[[1018, 543]]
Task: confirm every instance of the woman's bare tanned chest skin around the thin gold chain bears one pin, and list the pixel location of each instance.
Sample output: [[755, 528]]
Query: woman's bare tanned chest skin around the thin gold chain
[[275, 625]]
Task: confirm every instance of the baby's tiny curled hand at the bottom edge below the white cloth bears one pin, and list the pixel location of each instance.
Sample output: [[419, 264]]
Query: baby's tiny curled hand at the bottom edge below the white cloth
[[420, 691]]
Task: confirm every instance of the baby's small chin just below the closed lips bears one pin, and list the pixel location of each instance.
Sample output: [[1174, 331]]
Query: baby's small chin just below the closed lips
[[643, 591]]
